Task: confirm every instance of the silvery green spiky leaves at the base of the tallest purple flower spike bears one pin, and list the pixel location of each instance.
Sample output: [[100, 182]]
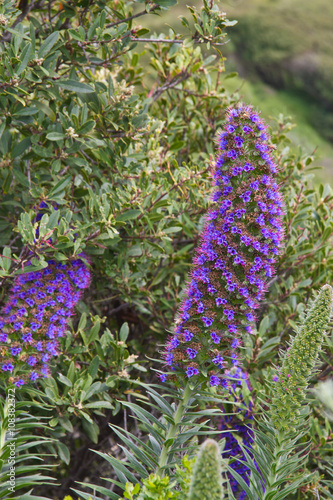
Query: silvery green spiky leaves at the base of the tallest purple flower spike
[[168, 434]]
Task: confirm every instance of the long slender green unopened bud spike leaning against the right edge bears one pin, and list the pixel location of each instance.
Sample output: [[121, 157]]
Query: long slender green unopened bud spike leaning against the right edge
[[299, 363]]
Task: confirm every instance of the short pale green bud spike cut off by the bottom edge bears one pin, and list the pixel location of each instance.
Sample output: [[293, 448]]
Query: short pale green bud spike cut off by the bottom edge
[[206, 482]]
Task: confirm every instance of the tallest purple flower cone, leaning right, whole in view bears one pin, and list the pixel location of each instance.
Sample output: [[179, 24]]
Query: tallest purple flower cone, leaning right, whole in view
[[235, 259]]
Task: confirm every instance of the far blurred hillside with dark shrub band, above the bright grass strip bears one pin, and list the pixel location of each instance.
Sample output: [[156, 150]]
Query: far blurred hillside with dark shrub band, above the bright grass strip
[[289, 45]]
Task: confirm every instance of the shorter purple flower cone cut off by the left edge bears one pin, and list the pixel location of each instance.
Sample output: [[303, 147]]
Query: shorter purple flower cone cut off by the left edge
[[36, 316]]
